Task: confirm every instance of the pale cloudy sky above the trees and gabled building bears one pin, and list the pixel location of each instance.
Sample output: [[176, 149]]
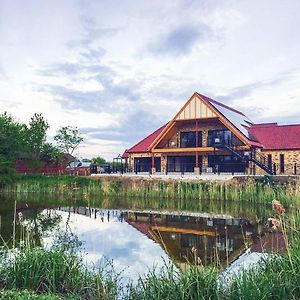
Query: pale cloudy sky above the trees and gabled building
[[119, 69]]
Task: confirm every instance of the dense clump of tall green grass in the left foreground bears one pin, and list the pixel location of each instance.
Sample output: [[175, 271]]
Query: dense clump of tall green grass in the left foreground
[[56, 271]]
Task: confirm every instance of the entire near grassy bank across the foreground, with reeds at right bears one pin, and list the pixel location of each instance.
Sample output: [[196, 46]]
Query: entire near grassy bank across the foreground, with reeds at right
[[59, 274]]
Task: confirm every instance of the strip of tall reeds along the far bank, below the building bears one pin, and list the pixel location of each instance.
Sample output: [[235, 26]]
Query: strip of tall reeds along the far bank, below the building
[[258, 190]]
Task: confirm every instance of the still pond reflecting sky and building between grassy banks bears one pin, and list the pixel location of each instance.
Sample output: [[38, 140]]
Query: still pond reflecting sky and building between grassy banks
[[136, 235]]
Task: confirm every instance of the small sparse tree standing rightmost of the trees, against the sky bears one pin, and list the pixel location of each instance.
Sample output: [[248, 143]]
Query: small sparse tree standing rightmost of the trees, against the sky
[[68, 139]]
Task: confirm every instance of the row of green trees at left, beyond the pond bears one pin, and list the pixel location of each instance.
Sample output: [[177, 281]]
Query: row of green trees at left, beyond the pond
[[28, 142]]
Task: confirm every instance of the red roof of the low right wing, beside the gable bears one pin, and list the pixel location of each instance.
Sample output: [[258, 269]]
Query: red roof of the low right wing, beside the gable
[[277, 137]]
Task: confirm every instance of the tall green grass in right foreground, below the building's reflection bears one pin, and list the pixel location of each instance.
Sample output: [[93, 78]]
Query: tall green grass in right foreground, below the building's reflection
[[277, 278]]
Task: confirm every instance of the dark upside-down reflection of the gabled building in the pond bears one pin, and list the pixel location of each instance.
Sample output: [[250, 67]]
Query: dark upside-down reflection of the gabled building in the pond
[[198, 236]]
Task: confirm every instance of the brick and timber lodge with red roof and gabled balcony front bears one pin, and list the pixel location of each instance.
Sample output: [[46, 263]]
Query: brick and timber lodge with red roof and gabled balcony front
[[206, 136]]
